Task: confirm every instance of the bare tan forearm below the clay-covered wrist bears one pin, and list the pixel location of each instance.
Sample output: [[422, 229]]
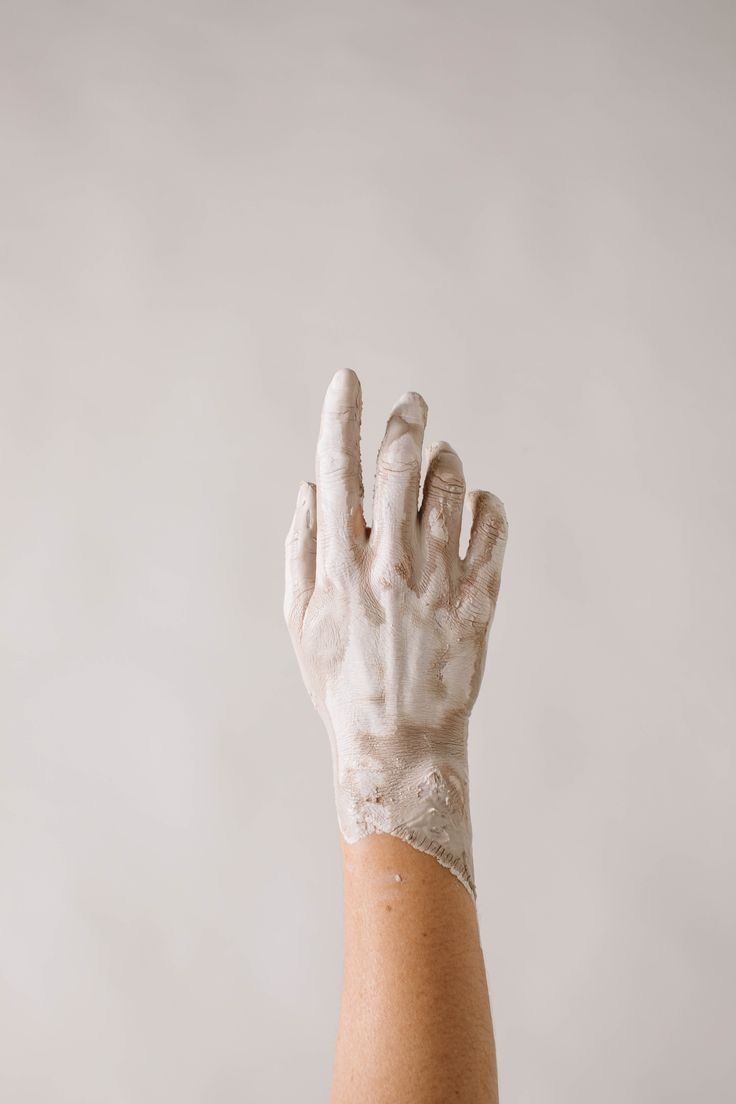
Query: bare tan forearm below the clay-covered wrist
[[415, 1023]]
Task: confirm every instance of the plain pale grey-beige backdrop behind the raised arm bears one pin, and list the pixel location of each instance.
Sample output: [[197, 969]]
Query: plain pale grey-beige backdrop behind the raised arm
[[522, 210]]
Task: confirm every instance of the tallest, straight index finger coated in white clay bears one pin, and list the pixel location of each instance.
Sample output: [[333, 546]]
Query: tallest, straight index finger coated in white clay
[[339, 481]]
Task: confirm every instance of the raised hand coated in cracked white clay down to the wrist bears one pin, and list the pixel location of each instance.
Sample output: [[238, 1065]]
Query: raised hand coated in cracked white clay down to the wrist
[[391, 627]]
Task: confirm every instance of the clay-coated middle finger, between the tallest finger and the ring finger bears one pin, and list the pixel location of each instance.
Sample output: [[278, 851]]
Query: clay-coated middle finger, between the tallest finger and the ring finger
[[397, 492]]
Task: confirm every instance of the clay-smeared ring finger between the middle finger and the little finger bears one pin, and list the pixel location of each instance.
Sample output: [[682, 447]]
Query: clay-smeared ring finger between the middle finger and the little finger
[[442, 505]]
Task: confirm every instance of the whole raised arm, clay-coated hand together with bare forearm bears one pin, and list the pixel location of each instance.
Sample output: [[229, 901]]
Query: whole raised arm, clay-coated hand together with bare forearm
[[390, 627]]
